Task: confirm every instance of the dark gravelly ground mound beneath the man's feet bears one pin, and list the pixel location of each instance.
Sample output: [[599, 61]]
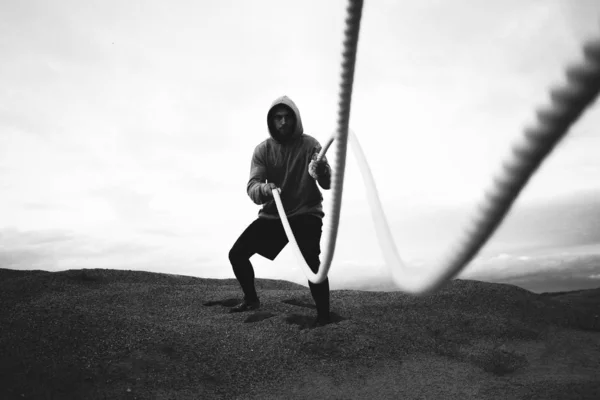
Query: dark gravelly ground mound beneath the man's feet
[[128, 334]]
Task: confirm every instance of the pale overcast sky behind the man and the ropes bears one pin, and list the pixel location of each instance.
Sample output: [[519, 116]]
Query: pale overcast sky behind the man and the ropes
[[126, 128]]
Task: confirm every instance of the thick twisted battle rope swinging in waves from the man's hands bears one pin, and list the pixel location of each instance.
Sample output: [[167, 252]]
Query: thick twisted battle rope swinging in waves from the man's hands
[[552, 124]]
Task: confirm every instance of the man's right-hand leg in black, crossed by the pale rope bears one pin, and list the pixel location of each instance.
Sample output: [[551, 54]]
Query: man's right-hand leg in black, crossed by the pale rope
[[307, 230]]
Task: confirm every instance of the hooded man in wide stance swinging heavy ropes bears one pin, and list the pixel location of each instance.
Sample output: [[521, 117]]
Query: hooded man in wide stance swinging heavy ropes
[[286, 160]]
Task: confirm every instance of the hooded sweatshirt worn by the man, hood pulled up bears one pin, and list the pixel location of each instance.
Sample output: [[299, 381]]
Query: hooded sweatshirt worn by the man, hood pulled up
[[284, 162]]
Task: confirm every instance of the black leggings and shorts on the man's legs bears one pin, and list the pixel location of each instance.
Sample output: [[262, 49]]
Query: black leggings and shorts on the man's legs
[[267, 238]]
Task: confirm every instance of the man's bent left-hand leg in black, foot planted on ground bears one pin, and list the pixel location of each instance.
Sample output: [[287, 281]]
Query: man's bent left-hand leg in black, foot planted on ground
[[263, 237]]
